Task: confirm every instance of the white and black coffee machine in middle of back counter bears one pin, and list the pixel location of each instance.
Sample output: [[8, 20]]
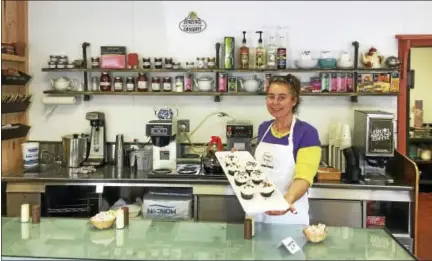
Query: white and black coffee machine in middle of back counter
[[163, 136]]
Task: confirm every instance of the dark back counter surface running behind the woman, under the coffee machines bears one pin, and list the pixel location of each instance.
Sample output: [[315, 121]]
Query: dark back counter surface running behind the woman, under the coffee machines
[[111, 174]]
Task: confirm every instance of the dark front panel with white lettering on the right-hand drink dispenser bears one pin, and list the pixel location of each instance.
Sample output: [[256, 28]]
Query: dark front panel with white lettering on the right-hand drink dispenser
[[381, 138]]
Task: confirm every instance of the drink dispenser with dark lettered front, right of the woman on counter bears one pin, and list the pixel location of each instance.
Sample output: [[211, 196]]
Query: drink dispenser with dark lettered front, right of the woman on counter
[[374, 144]]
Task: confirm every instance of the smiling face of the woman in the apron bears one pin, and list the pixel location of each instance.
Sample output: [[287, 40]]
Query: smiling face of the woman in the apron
[[280, 100]]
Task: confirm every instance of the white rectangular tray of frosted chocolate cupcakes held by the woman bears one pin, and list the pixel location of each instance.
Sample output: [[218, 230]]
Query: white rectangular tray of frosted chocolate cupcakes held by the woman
[[255, 191]]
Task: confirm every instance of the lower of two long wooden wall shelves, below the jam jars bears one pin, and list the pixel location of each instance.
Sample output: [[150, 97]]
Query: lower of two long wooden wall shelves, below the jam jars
[[346, 94]]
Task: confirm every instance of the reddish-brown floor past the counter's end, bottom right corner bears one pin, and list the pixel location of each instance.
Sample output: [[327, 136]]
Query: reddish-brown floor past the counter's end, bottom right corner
[[424, 226]]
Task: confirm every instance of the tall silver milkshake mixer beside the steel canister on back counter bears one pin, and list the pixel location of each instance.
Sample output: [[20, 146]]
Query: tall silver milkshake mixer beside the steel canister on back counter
[[98, 148]]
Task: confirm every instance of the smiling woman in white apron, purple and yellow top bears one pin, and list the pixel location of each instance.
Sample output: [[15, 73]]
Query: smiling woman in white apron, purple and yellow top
[[290, 149]]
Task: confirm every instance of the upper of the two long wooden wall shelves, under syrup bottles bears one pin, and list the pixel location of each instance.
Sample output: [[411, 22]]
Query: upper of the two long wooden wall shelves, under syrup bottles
[[291, 70]]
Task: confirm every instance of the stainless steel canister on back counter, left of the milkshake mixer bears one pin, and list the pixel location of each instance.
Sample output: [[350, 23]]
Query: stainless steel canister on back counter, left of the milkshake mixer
[[75, 150]]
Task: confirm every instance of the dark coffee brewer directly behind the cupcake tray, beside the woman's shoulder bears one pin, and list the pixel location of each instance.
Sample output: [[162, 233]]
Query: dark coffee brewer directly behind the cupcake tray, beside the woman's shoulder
[[239, 135]]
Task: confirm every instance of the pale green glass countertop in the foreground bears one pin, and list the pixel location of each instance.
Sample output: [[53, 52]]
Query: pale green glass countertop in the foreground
[[151, 240]]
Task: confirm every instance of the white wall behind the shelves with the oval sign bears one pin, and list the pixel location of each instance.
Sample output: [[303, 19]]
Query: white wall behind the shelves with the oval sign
[[151, 29]]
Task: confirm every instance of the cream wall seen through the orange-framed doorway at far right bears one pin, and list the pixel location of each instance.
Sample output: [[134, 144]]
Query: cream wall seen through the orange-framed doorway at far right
[[421, 62]]
